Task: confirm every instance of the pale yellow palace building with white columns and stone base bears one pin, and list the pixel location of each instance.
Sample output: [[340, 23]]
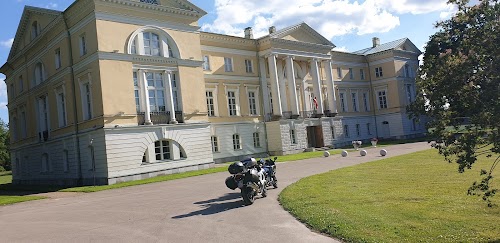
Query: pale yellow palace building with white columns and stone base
[[117, 90]]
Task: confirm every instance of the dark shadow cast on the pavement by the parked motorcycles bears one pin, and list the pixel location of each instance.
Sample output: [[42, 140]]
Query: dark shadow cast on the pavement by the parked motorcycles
[[213, 206]]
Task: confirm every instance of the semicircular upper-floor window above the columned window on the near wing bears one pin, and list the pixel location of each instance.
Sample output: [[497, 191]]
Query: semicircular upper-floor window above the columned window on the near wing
[[152, 41]]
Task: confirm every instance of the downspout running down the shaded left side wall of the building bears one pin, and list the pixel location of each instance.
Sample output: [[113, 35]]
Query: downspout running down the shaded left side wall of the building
[[75, 107]]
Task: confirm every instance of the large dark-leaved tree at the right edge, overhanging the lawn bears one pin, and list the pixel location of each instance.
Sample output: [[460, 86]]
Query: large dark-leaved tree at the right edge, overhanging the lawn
[[460, 84]]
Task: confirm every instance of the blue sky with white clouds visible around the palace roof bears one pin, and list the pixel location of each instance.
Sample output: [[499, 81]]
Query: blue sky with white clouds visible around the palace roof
[[350, 25]]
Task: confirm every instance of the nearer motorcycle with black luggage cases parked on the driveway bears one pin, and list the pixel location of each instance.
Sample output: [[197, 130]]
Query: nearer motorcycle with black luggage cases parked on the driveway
[[249, 177]]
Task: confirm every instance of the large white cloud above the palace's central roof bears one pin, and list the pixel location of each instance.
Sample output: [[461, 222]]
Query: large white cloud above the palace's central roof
[[330, 17]]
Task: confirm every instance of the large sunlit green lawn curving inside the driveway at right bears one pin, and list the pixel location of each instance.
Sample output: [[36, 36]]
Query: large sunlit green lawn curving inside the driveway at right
[[411, 198]]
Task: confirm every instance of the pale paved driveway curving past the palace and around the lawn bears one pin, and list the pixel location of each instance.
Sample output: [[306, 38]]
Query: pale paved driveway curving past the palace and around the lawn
[[196, 209]]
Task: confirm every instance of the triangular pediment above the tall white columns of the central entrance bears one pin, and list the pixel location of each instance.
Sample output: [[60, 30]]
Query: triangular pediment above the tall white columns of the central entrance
[[302, 33]]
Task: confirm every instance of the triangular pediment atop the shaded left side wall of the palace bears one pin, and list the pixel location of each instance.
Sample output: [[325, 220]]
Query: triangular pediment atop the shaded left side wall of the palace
[[43, 18]]
